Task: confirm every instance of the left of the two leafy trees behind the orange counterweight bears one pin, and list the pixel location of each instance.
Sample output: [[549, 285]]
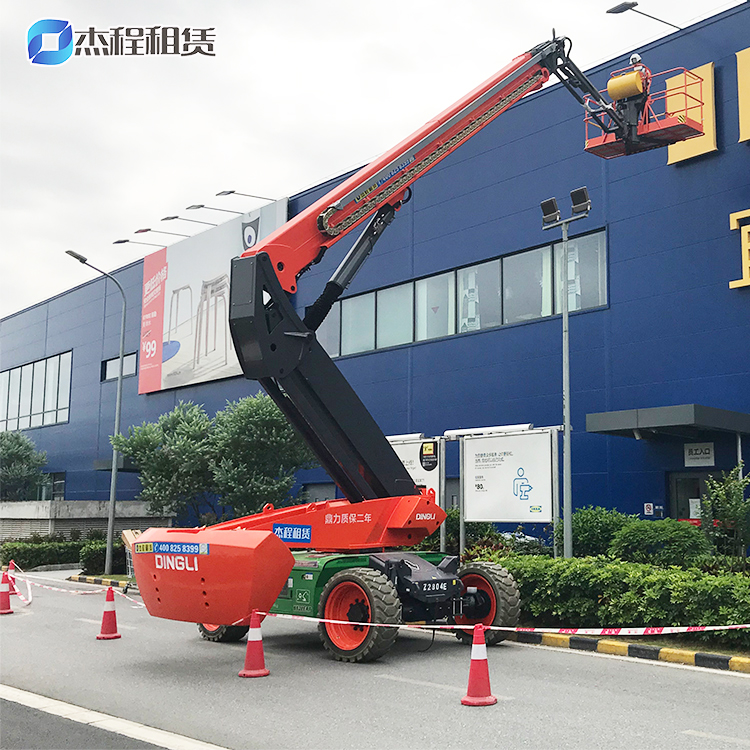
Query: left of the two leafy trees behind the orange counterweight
[[173, 456]]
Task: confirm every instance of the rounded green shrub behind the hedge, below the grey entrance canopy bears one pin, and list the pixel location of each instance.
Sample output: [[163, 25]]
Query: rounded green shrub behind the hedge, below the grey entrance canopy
[[663, 542]]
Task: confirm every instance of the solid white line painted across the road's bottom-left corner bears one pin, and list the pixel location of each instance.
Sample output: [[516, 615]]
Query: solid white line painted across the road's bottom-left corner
[[158, 737]]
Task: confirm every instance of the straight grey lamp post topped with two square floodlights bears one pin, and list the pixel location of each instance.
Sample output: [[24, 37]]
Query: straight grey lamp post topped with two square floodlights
[[550, 219]]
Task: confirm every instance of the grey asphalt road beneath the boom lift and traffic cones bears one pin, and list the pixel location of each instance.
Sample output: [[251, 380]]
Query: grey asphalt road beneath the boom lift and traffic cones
[[161, 674]]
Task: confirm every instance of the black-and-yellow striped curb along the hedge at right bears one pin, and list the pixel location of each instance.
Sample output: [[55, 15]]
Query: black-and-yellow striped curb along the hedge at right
[[637, 650]]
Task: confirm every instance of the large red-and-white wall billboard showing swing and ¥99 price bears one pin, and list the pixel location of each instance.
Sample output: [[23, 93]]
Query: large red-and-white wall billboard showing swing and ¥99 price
[[185, 335]]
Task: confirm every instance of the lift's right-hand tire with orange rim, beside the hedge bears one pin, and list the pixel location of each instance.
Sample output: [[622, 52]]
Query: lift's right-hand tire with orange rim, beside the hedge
[[500, 593]]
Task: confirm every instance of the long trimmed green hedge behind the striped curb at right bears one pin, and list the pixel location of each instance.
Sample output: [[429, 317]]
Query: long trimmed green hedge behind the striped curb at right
[[600, 592]]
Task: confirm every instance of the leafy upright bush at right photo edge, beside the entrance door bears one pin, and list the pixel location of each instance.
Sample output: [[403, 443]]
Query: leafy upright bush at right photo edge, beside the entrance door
[[725, 512]]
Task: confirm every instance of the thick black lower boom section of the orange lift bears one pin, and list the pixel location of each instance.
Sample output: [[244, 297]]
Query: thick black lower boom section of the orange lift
[[275, 348]]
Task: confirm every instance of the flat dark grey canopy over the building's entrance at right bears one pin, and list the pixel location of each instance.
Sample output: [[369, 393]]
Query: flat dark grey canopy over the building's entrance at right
[[686, 421]]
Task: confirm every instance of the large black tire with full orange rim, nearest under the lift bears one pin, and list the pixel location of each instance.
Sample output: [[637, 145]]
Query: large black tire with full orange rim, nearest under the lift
[[358, 595]]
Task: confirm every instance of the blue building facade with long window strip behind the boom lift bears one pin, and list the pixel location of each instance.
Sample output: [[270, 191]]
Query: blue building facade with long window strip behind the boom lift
[[454, 320]]
